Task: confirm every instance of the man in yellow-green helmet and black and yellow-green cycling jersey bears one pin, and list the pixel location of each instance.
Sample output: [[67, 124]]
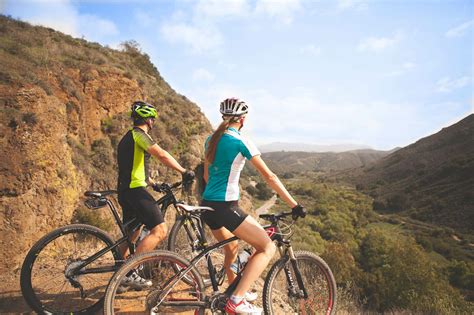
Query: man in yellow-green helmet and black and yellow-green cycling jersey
[[133, 154]]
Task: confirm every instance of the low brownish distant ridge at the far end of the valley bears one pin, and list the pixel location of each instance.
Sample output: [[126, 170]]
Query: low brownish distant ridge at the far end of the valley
[[284, 162]]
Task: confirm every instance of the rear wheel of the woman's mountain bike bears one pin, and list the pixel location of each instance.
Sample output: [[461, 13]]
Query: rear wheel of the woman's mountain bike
[[159, 267]]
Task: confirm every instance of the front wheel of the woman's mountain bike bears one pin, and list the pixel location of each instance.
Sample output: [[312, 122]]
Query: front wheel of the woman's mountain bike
[[314, 271]]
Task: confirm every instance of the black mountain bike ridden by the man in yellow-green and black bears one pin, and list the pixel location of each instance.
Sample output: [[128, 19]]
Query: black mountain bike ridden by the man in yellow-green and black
[[67, 270]]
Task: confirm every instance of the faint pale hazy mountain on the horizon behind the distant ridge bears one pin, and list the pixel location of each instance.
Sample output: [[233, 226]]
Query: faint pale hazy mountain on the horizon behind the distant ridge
[[304, 147]]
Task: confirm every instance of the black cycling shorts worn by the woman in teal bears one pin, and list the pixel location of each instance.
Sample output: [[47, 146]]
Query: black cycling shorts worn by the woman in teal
[[226, 214]]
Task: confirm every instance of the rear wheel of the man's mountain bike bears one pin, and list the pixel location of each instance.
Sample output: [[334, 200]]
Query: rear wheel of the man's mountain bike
[[49, 259]]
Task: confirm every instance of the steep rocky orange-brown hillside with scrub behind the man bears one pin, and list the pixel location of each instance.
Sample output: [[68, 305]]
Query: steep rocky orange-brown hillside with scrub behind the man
[[64, 105]]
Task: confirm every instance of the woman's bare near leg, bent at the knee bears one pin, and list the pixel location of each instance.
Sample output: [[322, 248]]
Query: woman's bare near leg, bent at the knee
[[252, 232]]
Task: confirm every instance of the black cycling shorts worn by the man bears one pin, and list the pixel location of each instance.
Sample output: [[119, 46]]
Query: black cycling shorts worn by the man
[[139, 203]]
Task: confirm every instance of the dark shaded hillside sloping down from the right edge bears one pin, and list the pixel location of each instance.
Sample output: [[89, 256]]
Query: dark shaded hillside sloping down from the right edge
[[431, 180]]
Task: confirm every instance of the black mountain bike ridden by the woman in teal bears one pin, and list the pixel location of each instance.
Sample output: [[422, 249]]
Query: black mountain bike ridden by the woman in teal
[[299, 282]]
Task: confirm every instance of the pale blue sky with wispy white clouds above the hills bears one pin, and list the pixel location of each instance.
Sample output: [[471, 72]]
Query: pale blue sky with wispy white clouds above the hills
[[379, 73]]
